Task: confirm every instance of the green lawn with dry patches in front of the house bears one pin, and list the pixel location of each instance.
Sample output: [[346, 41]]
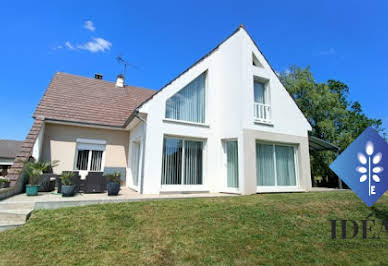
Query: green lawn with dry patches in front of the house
[[259, 229]]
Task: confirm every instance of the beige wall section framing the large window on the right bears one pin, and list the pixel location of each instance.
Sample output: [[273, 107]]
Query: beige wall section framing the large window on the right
[[303, 157]]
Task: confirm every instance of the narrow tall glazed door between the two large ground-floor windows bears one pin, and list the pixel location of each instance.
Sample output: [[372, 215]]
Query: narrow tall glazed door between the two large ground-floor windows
[[231, 163]]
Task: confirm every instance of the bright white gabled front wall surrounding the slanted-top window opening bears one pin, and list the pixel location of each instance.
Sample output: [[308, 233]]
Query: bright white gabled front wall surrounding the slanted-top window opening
[[229, 96]]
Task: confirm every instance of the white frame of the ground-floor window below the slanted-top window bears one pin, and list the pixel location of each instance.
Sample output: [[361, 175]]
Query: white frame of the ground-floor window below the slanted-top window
[[183, 187]]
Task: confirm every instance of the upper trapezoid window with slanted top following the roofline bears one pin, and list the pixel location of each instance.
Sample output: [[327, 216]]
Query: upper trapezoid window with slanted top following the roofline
[[189, 103]]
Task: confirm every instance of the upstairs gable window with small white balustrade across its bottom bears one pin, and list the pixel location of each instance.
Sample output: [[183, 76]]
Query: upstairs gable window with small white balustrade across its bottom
[[262, 108]]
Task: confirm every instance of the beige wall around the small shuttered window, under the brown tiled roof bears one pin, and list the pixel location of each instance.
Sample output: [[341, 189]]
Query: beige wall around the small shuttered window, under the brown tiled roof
[[60, 144]]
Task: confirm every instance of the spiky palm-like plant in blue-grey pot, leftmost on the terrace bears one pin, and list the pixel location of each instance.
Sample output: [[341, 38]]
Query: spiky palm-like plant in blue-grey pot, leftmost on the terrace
[[33, 170]]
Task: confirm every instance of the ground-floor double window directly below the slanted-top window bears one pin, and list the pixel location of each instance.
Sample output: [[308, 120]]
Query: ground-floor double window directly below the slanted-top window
[[182, 162]]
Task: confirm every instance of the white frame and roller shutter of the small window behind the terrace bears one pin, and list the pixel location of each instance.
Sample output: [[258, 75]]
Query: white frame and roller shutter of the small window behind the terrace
[[91, 145]]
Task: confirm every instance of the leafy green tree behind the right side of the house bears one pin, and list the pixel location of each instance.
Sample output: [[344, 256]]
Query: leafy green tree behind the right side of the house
[[332, 115]]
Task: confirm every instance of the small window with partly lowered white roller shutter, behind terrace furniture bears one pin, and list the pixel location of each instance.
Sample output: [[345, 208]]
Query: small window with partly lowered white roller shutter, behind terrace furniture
[[90, 155]]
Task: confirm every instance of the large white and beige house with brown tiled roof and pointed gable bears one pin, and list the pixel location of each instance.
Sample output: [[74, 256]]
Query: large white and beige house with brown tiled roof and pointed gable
[[226, 124]]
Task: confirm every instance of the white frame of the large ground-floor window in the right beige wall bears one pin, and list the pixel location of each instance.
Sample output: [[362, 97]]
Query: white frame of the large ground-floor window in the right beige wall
[[277, 188]]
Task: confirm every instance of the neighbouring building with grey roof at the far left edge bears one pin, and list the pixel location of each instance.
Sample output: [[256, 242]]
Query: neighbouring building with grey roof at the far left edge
[[8, 151]]
